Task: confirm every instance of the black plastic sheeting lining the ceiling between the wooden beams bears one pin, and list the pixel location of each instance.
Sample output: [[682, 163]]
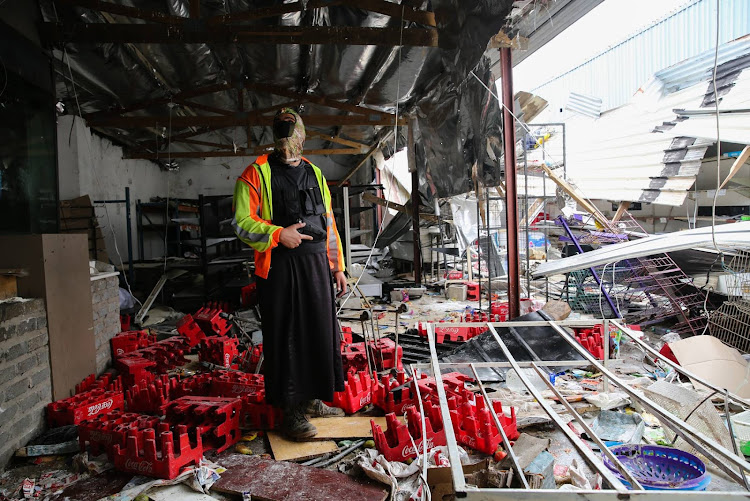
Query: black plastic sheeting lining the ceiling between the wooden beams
[[458, 119]]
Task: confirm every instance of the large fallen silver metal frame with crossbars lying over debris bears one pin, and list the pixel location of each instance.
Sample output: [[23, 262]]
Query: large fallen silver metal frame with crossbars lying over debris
[[733, 465]]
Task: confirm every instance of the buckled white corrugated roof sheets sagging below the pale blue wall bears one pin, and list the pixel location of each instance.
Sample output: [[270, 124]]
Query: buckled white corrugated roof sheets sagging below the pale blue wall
[[645, 151]]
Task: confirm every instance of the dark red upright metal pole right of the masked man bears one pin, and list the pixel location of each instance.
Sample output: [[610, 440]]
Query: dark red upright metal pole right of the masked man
[[511, 211]]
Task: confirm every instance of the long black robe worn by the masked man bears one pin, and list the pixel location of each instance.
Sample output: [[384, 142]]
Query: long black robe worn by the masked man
[[301, 335]]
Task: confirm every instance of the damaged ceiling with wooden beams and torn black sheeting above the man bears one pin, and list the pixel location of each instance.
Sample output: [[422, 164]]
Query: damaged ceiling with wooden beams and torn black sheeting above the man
[[202, 78]]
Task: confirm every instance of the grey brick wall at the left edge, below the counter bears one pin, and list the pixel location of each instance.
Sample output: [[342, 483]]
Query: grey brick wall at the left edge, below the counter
[[25, 381]]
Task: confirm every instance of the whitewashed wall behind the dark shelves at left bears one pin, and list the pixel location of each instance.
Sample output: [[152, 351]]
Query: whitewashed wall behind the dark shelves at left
[[91, 165]]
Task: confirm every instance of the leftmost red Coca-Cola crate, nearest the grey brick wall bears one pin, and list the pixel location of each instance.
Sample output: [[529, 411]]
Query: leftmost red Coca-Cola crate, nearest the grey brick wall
[[86, 405]]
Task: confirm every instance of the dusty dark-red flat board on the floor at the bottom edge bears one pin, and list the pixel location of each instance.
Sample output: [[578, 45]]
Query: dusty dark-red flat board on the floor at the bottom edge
[[268, 480]]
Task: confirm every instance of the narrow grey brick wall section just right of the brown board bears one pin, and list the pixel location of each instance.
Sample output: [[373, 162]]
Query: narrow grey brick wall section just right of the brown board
[[105, 297]]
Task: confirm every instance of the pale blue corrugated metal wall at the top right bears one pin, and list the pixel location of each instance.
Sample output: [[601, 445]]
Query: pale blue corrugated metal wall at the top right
[[617, 73]]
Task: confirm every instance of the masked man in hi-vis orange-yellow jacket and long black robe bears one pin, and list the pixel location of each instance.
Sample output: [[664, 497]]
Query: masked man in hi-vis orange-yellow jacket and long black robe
[[282, 209]]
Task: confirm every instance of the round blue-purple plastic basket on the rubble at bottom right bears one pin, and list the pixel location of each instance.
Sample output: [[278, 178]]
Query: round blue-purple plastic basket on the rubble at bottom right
[[660, 468]]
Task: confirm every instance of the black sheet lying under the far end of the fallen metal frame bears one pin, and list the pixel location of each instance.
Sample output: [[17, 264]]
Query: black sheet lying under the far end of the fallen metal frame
[[545, 342]]
